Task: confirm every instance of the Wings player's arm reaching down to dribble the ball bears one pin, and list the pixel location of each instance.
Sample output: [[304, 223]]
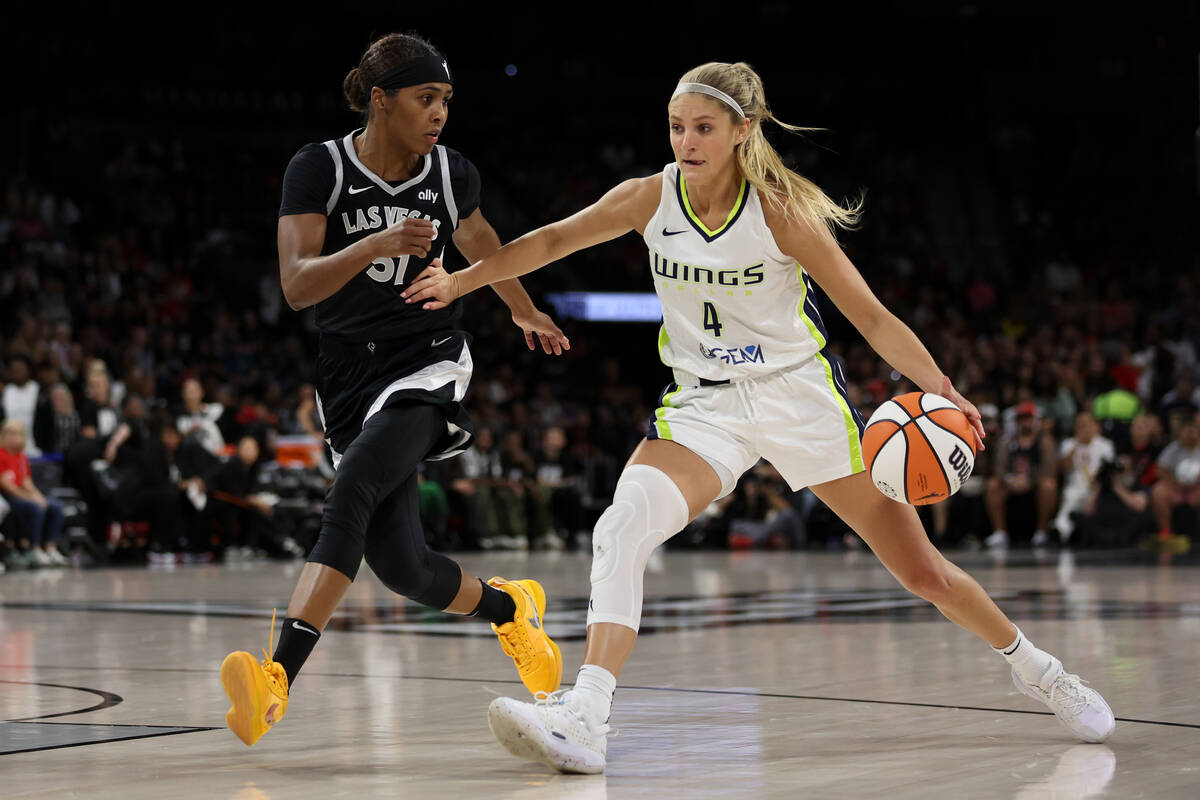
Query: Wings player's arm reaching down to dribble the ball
[[817, 250]]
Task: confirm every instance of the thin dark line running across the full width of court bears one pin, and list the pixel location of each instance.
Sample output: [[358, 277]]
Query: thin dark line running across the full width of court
[[641, 689]]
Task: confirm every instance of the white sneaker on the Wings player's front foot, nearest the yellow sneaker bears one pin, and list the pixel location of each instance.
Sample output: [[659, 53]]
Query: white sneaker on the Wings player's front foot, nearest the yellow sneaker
[[550, 731]]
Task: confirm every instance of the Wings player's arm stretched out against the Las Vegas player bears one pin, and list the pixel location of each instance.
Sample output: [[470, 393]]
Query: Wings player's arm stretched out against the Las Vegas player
[[627, 207]]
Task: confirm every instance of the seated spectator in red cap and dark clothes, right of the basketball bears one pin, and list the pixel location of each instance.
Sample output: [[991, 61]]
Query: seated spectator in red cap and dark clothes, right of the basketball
[[1024, 479]]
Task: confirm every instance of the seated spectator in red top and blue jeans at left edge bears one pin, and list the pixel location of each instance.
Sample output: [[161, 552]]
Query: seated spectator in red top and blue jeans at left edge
[[41, 518]]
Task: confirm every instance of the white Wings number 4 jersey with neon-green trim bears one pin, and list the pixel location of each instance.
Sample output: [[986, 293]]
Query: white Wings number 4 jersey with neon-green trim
[[734, 305]]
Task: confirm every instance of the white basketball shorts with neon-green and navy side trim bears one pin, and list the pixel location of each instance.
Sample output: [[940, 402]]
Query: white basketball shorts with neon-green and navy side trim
[[800, 420]]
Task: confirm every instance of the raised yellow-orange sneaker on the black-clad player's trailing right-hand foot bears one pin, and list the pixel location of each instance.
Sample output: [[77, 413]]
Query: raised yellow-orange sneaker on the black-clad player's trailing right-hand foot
[[525, 640]]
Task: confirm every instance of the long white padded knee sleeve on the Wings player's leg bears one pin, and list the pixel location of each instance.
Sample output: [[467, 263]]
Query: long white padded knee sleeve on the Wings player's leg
[[647, 510]]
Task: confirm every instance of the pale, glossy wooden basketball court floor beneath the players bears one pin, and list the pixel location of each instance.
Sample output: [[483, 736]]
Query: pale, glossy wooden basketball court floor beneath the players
[[758, 676]]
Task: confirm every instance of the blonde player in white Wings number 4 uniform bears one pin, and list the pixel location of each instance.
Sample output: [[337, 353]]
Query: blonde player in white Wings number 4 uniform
[[736, 243]]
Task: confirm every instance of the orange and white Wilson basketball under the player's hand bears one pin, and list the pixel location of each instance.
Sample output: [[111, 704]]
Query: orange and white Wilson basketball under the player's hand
[[919, 448]]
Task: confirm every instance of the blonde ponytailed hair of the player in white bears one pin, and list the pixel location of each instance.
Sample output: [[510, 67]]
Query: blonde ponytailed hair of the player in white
[[803, 202]]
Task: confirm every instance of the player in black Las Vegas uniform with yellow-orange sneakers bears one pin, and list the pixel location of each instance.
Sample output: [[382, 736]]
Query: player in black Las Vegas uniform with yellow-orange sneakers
[[361, 218]]
